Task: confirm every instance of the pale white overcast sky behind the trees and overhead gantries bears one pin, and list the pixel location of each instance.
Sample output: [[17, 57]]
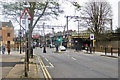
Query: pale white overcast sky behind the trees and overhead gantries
[[69, 11]]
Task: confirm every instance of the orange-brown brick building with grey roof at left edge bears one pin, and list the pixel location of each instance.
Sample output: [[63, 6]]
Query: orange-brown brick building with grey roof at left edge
[[6, 32]]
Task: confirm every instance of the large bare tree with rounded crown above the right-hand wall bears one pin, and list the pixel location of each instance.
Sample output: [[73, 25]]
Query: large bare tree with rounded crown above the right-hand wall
[[96, 16]]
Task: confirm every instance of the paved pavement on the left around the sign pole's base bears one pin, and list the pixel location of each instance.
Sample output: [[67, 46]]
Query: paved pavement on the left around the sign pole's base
[[12, 66]]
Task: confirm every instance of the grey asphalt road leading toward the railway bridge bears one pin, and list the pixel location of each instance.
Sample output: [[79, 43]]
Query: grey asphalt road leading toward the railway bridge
[[70, 64]]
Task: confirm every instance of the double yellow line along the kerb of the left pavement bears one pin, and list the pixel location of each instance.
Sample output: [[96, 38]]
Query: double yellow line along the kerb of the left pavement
[[45, 71]]
